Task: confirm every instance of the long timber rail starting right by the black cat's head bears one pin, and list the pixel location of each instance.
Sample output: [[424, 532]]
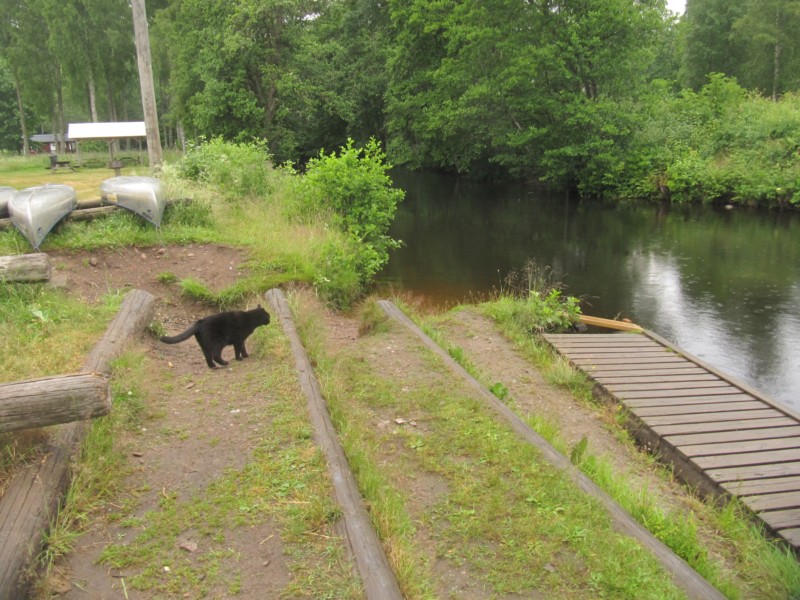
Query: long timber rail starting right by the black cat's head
[[371, 562]]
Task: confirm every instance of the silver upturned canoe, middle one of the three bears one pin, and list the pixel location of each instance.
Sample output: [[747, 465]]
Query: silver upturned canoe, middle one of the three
[[35, 211]]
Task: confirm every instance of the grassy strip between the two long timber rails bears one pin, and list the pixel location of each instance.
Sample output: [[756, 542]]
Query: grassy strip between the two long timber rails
[[503, 515]]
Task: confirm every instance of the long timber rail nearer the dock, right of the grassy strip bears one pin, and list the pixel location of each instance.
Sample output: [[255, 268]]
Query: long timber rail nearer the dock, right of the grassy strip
[[683, 575]]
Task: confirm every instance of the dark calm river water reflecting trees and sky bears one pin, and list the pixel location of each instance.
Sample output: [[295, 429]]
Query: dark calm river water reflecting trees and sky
[[722, 284]]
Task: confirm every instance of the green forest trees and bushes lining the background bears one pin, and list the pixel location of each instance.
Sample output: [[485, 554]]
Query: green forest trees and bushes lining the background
[[612, 98]]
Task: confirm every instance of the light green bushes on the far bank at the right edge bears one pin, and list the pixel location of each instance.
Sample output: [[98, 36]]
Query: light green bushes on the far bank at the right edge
[[720, 144]]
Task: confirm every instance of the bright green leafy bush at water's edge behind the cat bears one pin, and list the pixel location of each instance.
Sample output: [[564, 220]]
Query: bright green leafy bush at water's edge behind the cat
[[354, 188]]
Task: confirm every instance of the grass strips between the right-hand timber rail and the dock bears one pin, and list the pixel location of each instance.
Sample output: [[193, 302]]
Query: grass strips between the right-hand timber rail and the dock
[[763, 568]]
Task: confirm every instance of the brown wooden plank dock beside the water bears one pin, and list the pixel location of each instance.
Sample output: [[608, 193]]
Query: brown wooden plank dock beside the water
[[722, 436]]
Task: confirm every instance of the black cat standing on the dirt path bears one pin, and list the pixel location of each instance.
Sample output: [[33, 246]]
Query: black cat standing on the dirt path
[[223, 329]]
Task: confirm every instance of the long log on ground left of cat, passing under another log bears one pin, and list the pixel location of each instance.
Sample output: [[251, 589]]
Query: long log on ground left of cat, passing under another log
[[30, 503]]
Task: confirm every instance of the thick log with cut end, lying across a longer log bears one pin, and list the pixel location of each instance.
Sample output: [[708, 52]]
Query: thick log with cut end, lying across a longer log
[[53, 400]]
